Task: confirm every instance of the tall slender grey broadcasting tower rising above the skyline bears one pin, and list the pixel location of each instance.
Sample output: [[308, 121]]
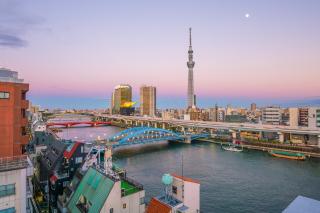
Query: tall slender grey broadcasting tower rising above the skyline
[[190, 64]]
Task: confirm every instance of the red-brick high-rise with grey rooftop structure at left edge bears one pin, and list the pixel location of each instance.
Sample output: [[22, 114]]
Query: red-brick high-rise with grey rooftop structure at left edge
[[13, 119]]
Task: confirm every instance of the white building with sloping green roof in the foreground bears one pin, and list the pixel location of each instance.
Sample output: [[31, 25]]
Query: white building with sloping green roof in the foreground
[[100, 192]]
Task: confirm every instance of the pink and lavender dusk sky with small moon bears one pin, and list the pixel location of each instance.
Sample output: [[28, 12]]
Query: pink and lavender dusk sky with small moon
[[73, 53]]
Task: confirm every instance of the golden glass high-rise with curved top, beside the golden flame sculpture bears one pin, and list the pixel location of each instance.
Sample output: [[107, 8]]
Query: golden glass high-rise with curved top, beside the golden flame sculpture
[[121, 96]]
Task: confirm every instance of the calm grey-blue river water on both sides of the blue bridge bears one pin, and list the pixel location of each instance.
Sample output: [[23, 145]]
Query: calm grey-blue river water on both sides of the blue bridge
[[250, 181]]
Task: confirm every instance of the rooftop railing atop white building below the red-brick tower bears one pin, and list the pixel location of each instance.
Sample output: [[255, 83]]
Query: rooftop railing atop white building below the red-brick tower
[[13, 163]]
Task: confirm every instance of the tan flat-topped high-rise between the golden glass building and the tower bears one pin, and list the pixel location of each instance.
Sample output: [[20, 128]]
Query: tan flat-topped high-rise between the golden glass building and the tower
[[148, 100]]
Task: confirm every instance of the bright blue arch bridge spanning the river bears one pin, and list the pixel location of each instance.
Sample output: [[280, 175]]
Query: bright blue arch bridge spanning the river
[[147, 135]]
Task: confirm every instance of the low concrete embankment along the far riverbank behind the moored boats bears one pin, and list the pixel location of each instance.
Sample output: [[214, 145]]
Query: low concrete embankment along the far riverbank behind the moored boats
[[265, 149]]
